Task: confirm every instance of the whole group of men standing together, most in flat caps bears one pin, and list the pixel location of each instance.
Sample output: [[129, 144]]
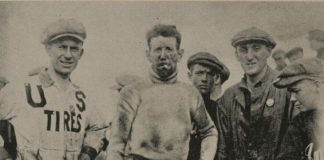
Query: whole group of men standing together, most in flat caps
[[161, 118]]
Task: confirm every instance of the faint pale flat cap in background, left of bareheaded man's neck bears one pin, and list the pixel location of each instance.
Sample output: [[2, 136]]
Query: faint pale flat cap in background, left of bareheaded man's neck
[[124, 80]]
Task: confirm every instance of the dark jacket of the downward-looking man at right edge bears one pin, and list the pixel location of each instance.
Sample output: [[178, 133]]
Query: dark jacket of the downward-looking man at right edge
[[299, 138]]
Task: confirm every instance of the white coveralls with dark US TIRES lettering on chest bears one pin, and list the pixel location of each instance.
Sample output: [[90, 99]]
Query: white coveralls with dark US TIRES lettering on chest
[[50, 124]]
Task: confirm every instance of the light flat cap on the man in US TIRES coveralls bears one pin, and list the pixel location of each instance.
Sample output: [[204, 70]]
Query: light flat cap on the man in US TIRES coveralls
[[64, 28]]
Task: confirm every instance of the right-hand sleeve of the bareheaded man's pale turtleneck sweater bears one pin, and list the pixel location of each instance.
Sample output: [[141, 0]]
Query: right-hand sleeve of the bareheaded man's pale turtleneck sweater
[[207, 131]]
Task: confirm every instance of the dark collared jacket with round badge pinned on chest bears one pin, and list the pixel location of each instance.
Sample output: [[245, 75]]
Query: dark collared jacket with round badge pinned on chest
[[251, 121]]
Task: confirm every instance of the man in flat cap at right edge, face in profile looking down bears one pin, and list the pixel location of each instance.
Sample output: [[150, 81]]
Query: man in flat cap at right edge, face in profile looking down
[[304, 79]]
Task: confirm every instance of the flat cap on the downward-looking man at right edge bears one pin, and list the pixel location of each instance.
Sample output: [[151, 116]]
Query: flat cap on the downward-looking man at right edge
[[311, 68]]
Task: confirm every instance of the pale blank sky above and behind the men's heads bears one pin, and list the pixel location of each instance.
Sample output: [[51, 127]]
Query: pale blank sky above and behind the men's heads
[[116, 31]]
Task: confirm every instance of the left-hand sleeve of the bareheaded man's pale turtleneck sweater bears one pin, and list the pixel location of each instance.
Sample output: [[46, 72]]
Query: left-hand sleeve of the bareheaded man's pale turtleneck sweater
[[122, 123]]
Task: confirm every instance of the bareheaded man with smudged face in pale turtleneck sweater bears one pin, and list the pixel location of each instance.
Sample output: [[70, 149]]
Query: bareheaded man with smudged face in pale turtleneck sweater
[[155, 115]]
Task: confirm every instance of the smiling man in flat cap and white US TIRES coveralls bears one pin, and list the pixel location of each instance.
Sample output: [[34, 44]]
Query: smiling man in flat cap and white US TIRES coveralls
[[51, 115]]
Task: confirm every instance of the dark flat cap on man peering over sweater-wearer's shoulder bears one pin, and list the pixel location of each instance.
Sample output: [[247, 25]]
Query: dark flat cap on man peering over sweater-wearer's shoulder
[[210, 60]]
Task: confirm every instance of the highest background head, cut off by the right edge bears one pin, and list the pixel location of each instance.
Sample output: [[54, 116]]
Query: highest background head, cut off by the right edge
[[316, 40]]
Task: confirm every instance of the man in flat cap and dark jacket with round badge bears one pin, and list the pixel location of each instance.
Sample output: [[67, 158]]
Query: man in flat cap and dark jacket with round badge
[[251, 113]]
